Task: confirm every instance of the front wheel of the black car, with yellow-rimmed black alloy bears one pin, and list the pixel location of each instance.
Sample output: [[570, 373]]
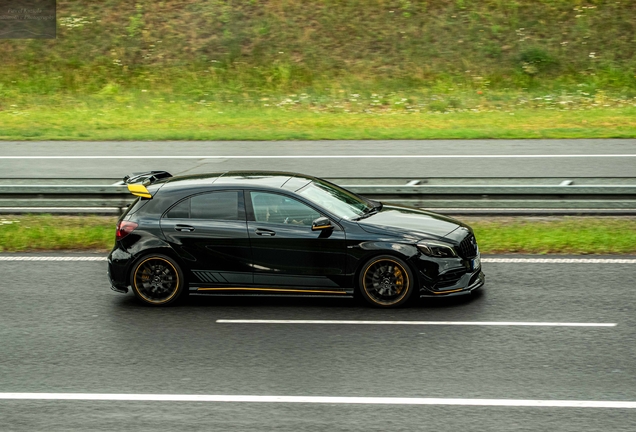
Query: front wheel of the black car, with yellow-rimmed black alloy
[[386, 281]]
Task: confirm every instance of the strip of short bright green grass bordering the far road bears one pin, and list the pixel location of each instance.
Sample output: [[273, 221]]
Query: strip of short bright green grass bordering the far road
[[161, 120]]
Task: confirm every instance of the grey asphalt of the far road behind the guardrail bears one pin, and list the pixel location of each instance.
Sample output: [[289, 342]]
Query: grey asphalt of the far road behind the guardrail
[[515, 158]]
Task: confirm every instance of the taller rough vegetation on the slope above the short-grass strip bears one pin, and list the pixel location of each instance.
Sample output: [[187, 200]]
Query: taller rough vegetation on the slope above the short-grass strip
[[371, 56]]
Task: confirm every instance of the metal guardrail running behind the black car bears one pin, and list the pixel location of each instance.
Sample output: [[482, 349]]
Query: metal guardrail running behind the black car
[[445, 195]]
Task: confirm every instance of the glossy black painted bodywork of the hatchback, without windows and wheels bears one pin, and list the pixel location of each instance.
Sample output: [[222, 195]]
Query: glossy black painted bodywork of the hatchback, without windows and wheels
[[296, 257]]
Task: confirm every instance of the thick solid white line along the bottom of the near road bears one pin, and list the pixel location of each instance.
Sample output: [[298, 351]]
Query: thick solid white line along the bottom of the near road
[[321, 400]]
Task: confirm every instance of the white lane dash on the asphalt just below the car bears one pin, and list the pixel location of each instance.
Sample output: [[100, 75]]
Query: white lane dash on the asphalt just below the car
[[460, 323]]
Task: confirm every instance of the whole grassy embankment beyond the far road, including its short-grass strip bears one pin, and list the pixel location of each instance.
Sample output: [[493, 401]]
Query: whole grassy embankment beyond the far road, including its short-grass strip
[[277, 69]]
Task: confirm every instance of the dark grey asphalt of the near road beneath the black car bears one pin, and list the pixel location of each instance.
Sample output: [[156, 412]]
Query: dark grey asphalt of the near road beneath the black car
[[63, 330]]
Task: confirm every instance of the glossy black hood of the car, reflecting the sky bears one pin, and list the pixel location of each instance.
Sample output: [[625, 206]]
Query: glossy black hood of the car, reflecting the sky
[[409, 220]]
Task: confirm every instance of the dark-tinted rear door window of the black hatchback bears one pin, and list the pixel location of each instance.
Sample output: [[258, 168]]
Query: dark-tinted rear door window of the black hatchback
[[211, 206]]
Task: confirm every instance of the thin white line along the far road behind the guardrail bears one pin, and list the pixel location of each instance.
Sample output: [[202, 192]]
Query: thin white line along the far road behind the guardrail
[[386, 156]]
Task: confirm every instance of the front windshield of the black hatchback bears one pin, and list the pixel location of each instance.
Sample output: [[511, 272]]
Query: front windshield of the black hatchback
[[338, 201]]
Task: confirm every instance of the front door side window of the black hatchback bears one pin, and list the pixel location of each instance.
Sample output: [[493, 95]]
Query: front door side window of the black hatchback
[[274, 208]]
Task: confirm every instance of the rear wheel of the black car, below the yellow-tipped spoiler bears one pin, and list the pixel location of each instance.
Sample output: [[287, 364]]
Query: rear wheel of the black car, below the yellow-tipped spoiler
[[157, 280]]
